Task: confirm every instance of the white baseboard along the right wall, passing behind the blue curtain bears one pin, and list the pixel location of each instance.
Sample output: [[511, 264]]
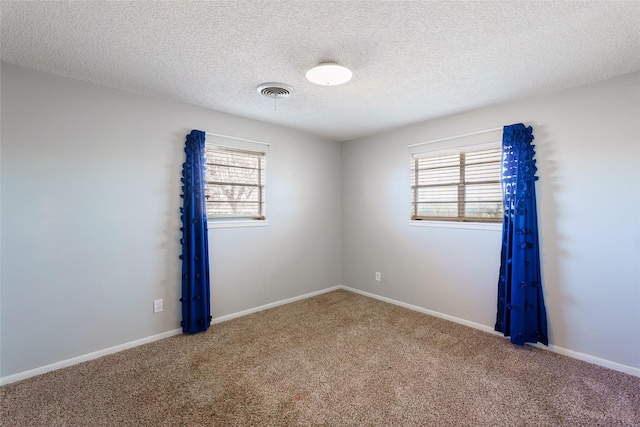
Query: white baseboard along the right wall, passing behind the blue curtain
[[553, 348]]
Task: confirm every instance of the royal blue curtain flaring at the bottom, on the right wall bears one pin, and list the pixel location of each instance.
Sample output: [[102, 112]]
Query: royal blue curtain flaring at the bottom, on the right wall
[[521, 311]]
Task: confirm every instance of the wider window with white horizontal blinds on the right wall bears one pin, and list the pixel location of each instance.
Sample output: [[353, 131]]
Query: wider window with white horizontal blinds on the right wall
[[463, 186]]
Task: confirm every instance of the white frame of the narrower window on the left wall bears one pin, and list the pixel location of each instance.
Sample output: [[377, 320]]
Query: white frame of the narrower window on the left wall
[[230, 221]]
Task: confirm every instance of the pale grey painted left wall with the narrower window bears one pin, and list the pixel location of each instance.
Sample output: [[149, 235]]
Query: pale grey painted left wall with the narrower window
[[90, 224]]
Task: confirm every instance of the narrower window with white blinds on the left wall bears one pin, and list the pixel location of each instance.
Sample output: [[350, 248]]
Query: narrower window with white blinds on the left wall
[[235, 183]]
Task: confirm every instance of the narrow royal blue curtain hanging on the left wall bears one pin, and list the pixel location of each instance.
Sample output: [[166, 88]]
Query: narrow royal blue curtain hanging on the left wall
[[196, 310]]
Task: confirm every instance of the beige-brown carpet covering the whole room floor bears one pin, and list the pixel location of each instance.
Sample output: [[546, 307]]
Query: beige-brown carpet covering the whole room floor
[[333, 360]]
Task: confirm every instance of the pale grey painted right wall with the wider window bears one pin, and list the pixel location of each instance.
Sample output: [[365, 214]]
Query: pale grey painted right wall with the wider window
[[588, 151]]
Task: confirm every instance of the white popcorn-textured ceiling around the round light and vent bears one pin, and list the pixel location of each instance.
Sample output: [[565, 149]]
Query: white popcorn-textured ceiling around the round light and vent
[[411, 60]]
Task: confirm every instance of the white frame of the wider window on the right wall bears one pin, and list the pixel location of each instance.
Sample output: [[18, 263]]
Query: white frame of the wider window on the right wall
[[457, 221]]
